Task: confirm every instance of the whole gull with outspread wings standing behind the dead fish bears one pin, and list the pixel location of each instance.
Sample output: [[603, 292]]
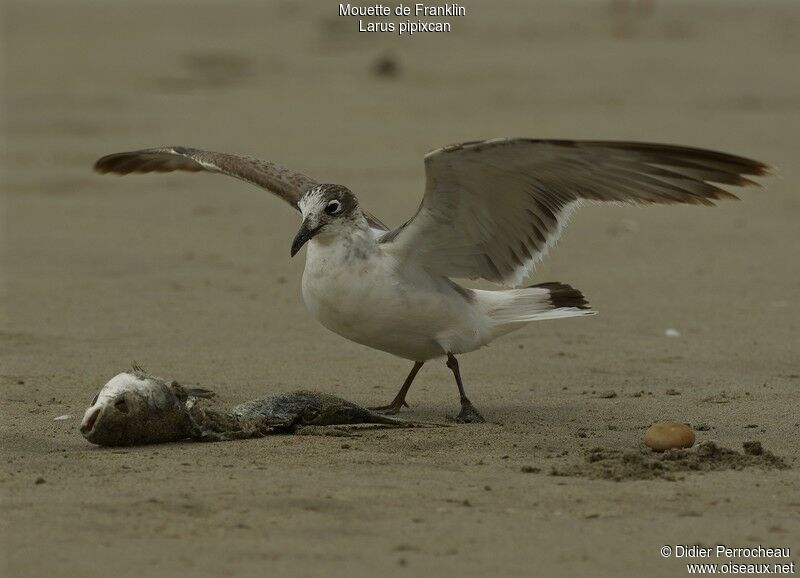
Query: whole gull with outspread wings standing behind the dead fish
[[491, 210]]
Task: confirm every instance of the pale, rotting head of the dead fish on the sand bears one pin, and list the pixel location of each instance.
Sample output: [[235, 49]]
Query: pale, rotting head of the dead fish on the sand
[[137, 408]]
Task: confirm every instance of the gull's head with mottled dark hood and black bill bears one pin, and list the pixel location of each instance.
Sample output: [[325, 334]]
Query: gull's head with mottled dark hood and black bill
[[327, 210]]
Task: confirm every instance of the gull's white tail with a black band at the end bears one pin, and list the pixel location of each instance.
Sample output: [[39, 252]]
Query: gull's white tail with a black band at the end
[[510, 309]]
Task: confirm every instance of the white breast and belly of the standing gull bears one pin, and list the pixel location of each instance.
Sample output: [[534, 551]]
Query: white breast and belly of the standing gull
[[356, 290]]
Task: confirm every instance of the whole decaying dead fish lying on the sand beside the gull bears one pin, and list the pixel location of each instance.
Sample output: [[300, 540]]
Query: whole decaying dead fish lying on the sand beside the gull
[[137, 408]]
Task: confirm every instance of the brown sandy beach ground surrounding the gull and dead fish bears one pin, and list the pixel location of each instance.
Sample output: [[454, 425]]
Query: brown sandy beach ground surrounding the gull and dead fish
[[190, 276]]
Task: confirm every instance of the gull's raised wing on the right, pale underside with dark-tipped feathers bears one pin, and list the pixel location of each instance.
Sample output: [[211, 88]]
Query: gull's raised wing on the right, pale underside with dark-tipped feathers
[[493, 208]]
